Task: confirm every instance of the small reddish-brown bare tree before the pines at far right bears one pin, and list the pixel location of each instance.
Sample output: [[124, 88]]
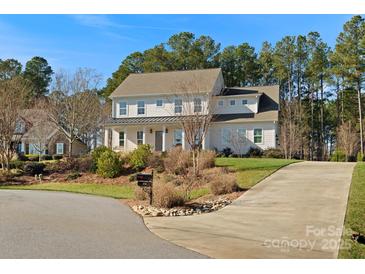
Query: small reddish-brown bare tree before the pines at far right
[[347, 139]]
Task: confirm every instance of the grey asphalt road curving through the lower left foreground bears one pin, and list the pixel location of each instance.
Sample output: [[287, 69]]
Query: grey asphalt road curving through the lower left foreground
[[42, 224]]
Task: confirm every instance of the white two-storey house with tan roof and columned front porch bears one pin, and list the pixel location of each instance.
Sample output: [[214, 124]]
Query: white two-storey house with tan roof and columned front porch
[[146, 109]]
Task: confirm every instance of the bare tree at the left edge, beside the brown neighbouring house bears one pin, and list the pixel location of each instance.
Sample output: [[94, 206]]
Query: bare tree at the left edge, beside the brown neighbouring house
[[13, 95]]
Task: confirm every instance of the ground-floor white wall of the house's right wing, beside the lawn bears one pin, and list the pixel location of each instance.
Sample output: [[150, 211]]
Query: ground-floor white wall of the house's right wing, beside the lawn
[[269, 129]]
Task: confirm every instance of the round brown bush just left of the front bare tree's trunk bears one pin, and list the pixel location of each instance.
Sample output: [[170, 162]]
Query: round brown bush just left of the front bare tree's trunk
[[177, 161]]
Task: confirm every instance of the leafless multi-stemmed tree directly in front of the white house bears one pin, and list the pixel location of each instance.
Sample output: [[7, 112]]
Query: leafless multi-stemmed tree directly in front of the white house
[[195, 114]]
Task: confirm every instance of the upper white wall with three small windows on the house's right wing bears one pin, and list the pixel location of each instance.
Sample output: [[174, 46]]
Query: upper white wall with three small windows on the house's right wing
[[250, 107]]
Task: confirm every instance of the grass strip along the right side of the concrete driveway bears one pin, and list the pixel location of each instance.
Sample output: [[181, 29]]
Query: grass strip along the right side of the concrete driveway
[[355, 216]]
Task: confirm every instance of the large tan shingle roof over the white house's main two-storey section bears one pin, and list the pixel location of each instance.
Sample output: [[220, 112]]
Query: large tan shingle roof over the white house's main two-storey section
[[170, 82]]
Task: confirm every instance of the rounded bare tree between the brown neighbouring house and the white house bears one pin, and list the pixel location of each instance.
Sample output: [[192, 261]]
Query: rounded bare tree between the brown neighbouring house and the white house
[[75, 108]]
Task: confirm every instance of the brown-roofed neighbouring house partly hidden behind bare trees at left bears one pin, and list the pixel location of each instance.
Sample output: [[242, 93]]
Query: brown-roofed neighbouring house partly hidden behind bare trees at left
[[40, 136]]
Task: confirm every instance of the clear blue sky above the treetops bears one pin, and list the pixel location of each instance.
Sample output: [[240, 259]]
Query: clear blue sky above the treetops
[[102, 41]]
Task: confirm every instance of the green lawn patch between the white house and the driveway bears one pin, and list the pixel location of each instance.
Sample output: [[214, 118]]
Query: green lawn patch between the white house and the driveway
[[250, 171]]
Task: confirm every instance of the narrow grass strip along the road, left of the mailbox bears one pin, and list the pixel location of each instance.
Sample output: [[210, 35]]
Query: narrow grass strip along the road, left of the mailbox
[[113, 191]]
